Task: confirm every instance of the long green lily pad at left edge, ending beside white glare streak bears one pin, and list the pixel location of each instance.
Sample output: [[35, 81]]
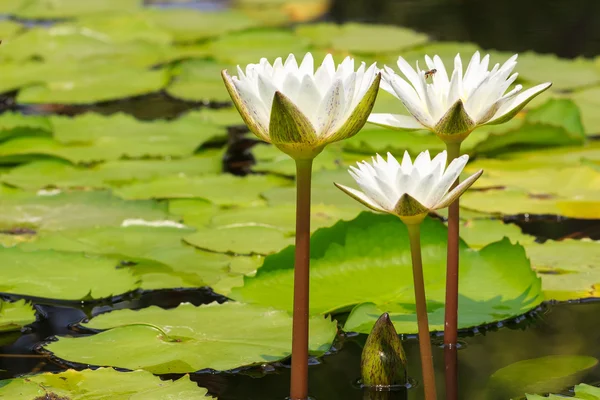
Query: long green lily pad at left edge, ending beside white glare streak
[[73, 210]]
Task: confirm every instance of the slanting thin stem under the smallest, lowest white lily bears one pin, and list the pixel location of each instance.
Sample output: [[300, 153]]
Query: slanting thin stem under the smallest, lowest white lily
[[414, 232]]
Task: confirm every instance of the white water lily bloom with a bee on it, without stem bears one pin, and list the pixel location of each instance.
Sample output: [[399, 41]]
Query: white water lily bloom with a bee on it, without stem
[[455, 105]]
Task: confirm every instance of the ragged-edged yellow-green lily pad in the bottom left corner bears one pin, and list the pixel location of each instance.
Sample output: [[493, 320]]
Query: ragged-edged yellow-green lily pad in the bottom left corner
[[102, 383]]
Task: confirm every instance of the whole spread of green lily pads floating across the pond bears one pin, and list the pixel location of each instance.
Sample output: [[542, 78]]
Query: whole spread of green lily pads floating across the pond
[[97, 206]]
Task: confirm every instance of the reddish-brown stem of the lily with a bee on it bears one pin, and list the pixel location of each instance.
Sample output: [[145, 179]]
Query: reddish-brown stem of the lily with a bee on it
[[451, 312]]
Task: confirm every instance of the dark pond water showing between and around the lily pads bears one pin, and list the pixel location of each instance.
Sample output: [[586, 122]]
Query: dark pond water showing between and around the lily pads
[[553, 329]]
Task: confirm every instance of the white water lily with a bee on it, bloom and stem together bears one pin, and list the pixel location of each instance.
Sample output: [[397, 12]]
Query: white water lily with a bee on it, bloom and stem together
[[452, 106]]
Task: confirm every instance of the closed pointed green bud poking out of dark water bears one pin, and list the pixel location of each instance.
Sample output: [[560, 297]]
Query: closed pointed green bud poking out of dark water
[[383, 362]]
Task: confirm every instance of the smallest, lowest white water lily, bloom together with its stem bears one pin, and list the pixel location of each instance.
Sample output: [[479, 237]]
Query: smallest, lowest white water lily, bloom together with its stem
[[410, 191]]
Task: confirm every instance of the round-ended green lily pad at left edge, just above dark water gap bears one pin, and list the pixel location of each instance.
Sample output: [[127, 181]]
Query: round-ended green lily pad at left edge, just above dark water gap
[[62, 275]]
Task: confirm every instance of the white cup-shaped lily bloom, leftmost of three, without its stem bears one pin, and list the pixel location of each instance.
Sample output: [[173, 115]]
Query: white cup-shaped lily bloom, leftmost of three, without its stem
[[300, 110]]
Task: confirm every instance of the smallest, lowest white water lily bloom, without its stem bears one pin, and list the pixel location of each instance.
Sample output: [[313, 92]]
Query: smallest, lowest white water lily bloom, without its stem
[[406, 189]]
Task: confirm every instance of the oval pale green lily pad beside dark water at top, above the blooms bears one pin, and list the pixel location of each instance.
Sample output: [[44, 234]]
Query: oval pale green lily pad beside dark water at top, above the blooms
[[362, 38]]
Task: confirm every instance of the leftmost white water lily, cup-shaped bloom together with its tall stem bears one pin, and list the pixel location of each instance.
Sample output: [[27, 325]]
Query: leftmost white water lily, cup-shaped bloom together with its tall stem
[[300, 111]]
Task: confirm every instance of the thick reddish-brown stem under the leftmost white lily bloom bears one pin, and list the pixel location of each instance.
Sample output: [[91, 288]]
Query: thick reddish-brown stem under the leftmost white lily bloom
[[299, 380]]
